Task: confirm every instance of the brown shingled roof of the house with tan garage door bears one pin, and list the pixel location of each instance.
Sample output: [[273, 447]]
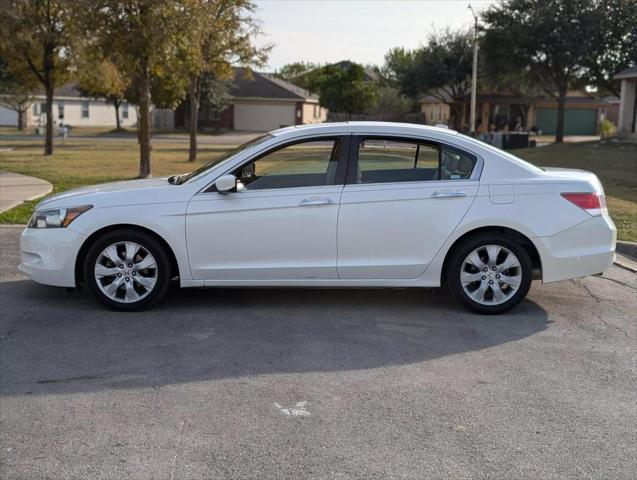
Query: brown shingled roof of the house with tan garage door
[[264, 85]]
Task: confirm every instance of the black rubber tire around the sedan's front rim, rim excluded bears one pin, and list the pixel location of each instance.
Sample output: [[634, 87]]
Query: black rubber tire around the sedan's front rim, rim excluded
[[152, 245]]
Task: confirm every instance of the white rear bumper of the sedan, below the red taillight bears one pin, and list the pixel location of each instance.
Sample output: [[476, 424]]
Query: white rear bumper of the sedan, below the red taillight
[[585, 249]]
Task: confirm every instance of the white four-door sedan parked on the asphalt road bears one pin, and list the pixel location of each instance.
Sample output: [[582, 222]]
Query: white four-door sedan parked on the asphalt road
[[358, 204]]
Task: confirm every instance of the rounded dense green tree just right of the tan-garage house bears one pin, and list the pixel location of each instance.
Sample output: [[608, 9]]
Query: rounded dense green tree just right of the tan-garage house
[[345, 89]]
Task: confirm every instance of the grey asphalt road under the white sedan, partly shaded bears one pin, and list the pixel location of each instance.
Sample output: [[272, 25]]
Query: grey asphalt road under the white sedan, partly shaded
[[295, 384]]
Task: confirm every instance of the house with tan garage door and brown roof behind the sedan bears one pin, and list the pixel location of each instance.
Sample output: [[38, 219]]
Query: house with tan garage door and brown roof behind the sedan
[[259, 102]]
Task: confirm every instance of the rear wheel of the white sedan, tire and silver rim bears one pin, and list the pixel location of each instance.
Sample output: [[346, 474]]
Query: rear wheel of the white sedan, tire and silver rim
[[490, 273]]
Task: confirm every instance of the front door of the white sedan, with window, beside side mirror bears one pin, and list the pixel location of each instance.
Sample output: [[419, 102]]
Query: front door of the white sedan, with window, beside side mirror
[[280, 223]]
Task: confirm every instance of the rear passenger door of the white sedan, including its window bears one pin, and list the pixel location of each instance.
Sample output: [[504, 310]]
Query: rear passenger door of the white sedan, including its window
[[402, 200]]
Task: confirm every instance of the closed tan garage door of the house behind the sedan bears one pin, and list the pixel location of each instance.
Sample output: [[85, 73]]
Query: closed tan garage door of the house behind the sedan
[[262, 117]]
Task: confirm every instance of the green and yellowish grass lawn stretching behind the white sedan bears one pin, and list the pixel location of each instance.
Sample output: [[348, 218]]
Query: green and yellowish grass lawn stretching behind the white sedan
[[80, 163]]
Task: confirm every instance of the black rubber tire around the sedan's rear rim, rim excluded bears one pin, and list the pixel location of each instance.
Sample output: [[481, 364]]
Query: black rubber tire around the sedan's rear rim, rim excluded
[[468, 245]]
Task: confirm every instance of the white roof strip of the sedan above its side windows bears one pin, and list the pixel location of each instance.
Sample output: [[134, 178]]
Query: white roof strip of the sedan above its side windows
[[386, 128]]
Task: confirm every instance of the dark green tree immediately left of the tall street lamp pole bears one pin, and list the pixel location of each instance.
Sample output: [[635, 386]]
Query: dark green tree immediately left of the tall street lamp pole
[[441, 68]]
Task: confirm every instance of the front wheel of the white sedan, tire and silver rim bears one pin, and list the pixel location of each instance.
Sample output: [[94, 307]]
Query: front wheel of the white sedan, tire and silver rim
[[127, 270]]
